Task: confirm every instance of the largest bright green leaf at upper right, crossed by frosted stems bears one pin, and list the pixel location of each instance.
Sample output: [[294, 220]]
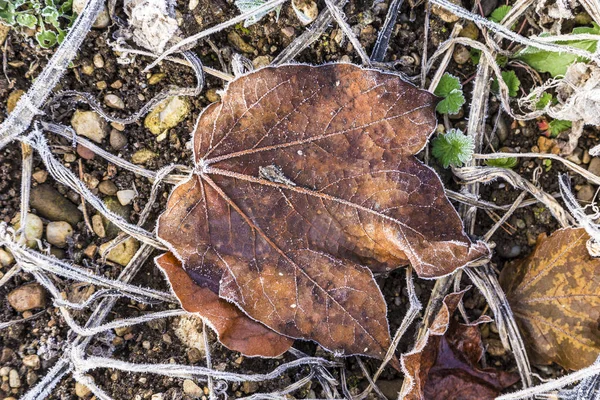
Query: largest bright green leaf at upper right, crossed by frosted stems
[[557, 63]]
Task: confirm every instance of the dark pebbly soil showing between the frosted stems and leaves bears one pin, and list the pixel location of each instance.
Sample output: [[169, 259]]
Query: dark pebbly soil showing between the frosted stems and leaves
[[156, 342]]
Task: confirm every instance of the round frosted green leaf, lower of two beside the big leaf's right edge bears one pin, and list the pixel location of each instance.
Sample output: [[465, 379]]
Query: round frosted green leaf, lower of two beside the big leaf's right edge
[[453, 148]]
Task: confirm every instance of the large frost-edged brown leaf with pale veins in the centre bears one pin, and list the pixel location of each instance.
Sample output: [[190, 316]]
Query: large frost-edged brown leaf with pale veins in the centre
[[305, 176]]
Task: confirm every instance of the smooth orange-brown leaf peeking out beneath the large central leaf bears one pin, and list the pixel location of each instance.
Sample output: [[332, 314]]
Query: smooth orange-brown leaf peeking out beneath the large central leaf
[[235, 330]]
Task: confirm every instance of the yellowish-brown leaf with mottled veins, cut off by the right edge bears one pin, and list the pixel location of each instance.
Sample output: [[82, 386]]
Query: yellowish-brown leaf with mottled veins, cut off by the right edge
[[555, 296]]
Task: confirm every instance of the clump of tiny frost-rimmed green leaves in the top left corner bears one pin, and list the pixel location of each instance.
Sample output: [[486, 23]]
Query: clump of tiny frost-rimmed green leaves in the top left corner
[[49, 19]]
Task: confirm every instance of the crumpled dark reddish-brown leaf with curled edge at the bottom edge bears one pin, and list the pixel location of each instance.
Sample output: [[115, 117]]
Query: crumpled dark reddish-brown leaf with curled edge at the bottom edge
[[444, 362]]
